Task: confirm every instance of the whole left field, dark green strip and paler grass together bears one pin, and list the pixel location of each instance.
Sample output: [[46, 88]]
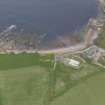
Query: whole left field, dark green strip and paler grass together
[[23, 79]]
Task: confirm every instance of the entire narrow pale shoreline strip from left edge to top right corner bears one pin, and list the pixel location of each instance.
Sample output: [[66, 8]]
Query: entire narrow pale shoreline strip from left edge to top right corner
[[95, 26]]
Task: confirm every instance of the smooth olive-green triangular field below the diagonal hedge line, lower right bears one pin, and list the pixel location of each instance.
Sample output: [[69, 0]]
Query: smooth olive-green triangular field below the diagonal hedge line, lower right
[[90, 92]]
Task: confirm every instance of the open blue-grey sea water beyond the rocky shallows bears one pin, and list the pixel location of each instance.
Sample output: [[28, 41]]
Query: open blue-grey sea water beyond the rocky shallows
[[47, 16]]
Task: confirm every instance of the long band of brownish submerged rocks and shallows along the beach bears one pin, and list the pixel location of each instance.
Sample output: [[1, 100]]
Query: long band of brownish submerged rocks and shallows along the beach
[[29, 41]]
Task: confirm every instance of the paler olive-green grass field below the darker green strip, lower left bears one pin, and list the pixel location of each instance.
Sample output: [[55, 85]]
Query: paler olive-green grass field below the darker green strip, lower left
[[25, 86]]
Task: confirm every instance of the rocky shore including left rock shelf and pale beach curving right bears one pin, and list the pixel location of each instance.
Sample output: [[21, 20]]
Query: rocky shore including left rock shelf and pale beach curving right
[[10, 42]]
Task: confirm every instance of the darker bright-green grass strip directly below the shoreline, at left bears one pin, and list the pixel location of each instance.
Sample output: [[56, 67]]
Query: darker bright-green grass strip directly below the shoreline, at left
[[11, 61]]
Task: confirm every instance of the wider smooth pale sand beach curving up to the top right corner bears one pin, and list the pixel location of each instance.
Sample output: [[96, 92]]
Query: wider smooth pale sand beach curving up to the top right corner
[[89, 37]]
